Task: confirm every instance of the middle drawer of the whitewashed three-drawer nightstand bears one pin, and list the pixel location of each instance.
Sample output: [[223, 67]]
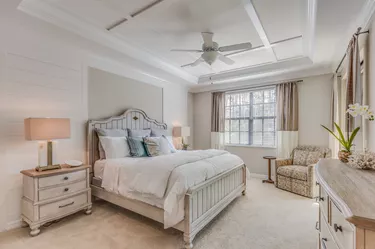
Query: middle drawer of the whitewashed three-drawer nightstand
[[62, 190]]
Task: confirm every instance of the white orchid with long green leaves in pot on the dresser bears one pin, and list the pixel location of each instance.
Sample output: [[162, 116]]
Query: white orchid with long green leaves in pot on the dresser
[[347, 143]]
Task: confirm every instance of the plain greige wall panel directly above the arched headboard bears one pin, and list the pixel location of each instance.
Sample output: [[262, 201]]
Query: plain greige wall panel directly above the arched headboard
[[110, 94]]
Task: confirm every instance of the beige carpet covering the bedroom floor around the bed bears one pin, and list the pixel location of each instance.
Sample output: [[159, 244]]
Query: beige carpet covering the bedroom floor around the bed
[[267, 218]]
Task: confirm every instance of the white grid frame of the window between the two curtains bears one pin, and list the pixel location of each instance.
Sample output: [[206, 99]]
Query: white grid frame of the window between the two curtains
[[250, 119]]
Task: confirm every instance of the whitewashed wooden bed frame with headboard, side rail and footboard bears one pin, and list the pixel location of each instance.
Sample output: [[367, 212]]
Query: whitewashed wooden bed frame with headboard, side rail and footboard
[[203, 202]]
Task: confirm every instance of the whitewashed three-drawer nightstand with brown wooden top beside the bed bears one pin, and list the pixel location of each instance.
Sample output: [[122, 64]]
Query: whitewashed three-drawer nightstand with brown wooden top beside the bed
[[54, 194]]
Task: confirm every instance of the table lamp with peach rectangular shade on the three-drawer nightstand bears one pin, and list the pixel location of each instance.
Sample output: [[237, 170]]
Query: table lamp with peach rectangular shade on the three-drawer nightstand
[[47, 129]]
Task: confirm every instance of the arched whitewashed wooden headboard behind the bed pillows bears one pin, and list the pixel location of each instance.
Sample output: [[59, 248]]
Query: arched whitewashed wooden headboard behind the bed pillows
[[131, 118]]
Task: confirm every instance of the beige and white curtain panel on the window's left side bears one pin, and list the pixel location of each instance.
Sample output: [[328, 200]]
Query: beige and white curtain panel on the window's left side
[[218, 121]]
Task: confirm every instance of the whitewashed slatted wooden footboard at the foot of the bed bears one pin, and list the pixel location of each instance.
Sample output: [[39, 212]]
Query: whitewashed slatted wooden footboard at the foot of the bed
[[204, 201]]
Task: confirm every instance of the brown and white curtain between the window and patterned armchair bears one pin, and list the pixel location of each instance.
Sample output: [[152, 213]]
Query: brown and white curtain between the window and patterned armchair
[[287, 118]]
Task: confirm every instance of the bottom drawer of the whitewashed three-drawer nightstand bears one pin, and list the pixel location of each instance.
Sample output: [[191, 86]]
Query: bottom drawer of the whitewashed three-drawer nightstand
[[63, 206]]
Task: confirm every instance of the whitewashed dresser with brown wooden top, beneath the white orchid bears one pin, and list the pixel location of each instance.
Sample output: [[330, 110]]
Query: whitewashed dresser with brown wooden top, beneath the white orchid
[[346, 217]]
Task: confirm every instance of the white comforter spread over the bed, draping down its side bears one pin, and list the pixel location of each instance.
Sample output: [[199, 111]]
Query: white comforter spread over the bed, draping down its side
[[166, 177]]
